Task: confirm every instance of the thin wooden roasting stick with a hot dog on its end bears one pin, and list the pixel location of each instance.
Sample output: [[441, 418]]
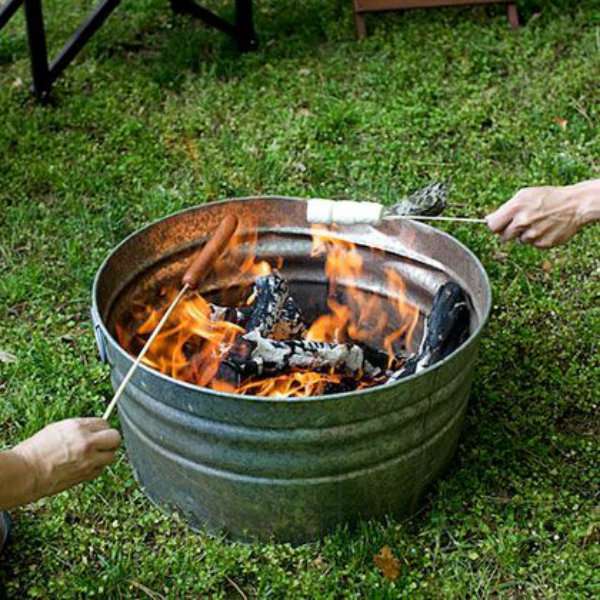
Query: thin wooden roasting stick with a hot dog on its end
[[199, 268]]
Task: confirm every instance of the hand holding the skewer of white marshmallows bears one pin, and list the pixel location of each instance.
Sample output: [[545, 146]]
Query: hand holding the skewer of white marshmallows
[[545, 216]]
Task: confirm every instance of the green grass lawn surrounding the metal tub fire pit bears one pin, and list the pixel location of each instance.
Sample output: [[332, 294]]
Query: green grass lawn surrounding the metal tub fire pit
[[160, 113]]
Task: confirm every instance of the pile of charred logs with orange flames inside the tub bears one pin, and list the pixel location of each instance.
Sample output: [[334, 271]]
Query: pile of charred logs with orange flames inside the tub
[[264, 347]]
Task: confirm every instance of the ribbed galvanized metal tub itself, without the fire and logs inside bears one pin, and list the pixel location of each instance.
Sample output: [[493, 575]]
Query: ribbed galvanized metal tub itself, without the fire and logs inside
[[290, 470]]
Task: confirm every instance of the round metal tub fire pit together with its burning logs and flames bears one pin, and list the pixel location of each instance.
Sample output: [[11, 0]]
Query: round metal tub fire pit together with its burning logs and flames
[[288, 455]]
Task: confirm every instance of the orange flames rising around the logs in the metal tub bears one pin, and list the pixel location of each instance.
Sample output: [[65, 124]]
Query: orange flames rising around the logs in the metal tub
[[198, 336]]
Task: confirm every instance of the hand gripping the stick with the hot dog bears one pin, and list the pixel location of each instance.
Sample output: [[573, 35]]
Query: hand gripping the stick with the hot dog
[[66, 453]]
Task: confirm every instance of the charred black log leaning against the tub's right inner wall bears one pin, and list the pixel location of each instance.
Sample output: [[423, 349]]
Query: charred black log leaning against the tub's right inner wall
[[446, 328]]
